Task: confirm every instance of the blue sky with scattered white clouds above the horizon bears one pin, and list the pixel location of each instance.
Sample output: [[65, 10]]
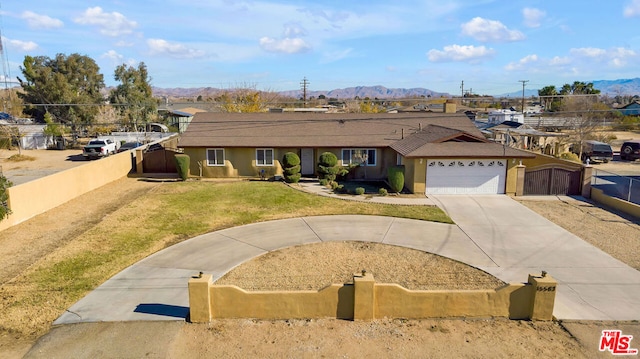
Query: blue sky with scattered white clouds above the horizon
[[484, 46]]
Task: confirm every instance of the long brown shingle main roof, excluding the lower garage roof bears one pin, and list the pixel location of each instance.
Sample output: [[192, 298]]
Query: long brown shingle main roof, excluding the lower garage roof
[[313, 130]]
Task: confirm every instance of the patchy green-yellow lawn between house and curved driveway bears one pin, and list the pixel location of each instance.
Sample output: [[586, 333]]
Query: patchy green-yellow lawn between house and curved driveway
[[169, 214]]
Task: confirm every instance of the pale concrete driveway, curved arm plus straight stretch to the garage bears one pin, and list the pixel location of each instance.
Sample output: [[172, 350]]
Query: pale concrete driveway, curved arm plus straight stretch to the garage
[[493, 233]]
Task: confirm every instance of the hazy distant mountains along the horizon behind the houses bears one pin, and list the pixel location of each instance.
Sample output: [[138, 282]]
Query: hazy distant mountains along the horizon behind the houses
[[606, 87]]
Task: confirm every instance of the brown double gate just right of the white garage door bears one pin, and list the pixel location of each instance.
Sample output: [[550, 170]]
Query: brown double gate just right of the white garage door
[[552, 181]]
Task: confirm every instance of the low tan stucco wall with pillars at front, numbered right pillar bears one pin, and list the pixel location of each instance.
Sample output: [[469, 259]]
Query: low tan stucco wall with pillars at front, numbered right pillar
[[367, 300]]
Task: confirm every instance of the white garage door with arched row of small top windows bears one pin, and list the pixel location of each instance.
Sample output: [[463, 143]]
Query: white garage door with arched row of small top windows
[[461, 176]]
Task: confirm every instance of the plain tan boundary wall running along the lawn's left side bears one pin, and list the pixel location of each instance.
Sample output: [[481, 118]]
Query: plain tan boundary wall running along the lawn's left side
[[32, 198]]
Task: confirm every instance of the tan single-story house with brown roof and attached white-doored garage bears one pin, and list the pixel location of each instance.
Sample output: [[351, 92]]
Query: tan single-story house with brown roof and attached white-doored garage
[[441, 152]]
